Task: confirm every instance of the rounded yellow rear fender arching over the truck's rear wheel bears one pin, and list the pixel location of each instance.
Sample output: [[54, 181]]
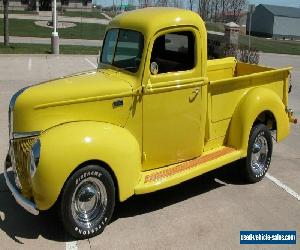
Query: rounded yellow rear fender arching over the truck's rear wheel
[[255, 102]]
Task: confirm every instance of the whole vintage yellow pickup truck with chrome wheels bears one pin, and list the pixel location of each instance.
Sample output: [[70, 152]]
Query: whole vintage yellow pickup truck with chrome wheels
[[155, 113]]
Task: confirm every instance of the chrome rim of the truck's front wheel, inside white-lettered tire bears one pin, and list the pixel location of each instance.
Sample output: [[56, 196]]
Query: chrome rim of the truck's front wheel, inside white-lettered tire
[[89, 202]]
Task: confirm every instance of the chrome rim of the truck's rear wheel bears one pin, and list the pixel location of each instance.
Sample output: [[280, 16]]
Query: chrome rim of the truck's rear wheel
[[259, 155]]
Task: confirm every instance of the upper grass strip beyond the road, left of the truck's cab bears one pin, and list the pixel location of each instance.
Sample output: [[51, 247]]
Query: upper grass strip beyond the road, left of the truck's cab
[[89, 31]]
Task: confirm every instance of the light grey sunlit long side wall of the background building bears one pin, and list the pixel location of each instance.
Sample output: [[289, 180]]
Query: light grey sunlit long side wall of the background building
[[286, 27]]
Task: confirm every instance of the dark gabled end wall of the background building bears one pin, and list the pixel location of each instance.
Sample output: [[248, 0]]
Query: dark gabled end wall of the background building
[[262, 22]]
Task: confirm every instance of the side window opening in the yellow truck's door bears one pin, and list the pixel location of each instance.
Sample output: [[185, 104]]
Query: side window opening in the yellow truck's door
[[174, 52]]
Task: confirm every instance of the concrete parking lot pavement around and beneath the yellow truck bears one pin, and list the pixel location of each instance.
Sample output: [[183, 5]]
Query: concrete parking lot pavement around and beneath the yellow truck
[[205, 213]]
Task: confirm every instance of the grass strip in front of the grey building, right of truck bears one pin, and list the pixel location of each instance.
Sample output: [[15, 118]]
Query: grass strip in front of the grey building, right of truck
[[271, 46]]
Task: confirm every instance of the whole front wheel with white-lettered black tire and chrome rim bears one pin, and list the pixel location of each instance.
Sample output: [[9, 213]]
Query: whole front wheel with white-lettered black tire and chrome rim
[[87, 202]]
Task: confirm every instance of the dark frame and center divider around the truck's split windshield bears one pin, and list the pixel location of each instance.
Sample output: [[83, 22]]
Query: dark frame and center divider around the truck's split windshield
[[107, 64]]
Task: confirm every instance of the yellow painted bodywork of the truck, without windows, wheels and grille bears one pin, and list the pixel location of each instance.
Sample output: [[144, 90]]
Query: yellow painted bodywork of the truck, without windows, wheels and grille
[[167, 123]]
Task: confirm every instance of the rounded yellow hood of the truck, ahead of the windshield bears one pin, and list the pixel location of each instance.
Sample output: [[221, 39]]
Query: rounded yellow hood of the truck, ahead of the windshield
[[92, 96]]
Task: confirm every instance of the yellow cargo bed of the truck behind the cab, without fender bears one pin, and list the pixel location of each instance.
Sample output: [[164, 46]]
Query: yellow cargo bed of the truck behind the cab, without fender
[[229, 81]]
